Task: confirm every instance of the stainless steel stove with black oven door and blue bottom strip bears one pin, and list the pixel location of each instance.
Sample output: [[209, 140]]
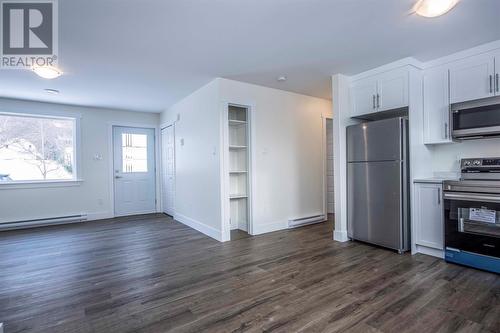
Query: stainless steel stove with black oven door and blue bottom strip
[[472, 215]]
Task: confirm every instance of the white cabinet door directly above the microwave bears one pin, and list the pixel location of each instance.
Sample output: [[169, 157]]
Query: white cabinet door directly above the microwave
[[472, 78]]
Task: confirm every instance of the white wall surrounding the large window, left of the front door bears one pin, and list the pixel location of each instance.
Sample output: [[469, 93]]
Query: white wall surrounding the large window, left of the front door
[[92, 196]]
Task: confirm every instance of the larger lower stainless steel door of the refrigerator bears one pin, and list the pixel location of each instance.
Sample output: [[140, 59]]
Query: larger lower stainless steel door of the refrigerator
[[374, 203]]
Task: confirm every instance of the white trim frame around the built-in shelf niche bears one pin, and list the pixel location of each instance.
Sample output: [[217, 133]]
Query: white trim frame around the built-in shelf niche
[[224, 170]]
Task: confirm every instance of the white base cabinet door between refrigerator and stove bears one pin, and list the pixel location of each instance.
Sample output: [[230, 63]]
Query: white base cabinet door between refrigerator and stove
[[429, 223]]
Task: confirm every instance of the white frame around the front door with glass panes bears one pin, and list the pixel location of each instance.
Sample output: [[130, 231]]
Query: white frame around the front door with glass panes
[[111, 155]]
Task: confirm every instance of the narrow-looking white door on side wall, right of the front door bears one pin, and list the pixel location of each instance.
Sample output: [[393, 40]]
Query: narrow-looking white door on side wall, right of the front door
[[168, 169]]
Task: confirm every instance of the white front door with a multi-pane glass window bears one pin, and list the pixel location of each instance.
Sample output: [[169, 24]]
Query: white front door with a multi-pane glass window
[[134, 170]]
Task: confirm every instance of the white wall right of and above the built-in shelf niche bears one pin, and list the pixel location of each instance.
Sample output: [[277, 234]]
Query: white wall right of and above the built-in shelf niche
[[287, 151]]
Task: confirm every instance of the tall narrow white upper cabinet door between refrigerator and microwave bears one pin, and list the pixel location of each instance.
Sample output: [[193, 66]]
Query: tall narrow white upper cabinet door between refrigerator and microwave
[[436, 106]]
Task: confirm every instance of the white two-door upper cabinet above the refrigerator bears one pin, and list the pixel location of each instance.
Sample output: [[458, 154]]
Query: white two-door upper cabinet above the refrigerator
[[381, 92]]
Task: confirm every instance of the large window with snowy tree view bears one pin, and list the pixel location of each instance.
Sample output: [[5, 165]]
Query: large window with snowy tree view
[[36, 148]]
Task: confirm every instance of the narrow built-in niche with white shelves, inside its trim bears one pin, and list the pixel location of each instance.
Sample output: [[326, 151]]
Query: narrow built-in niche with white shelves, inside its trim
[[238, 167]]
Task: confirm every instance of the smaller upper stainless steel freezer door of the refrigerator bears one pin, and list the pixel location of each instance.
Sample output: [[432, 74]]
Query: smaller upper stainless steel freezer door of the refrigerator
[[375, 141]]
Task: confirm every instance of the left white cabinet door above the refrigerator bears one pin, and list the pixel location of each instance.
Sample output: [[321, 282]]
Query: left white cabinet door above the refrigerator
[[363, 93]]
